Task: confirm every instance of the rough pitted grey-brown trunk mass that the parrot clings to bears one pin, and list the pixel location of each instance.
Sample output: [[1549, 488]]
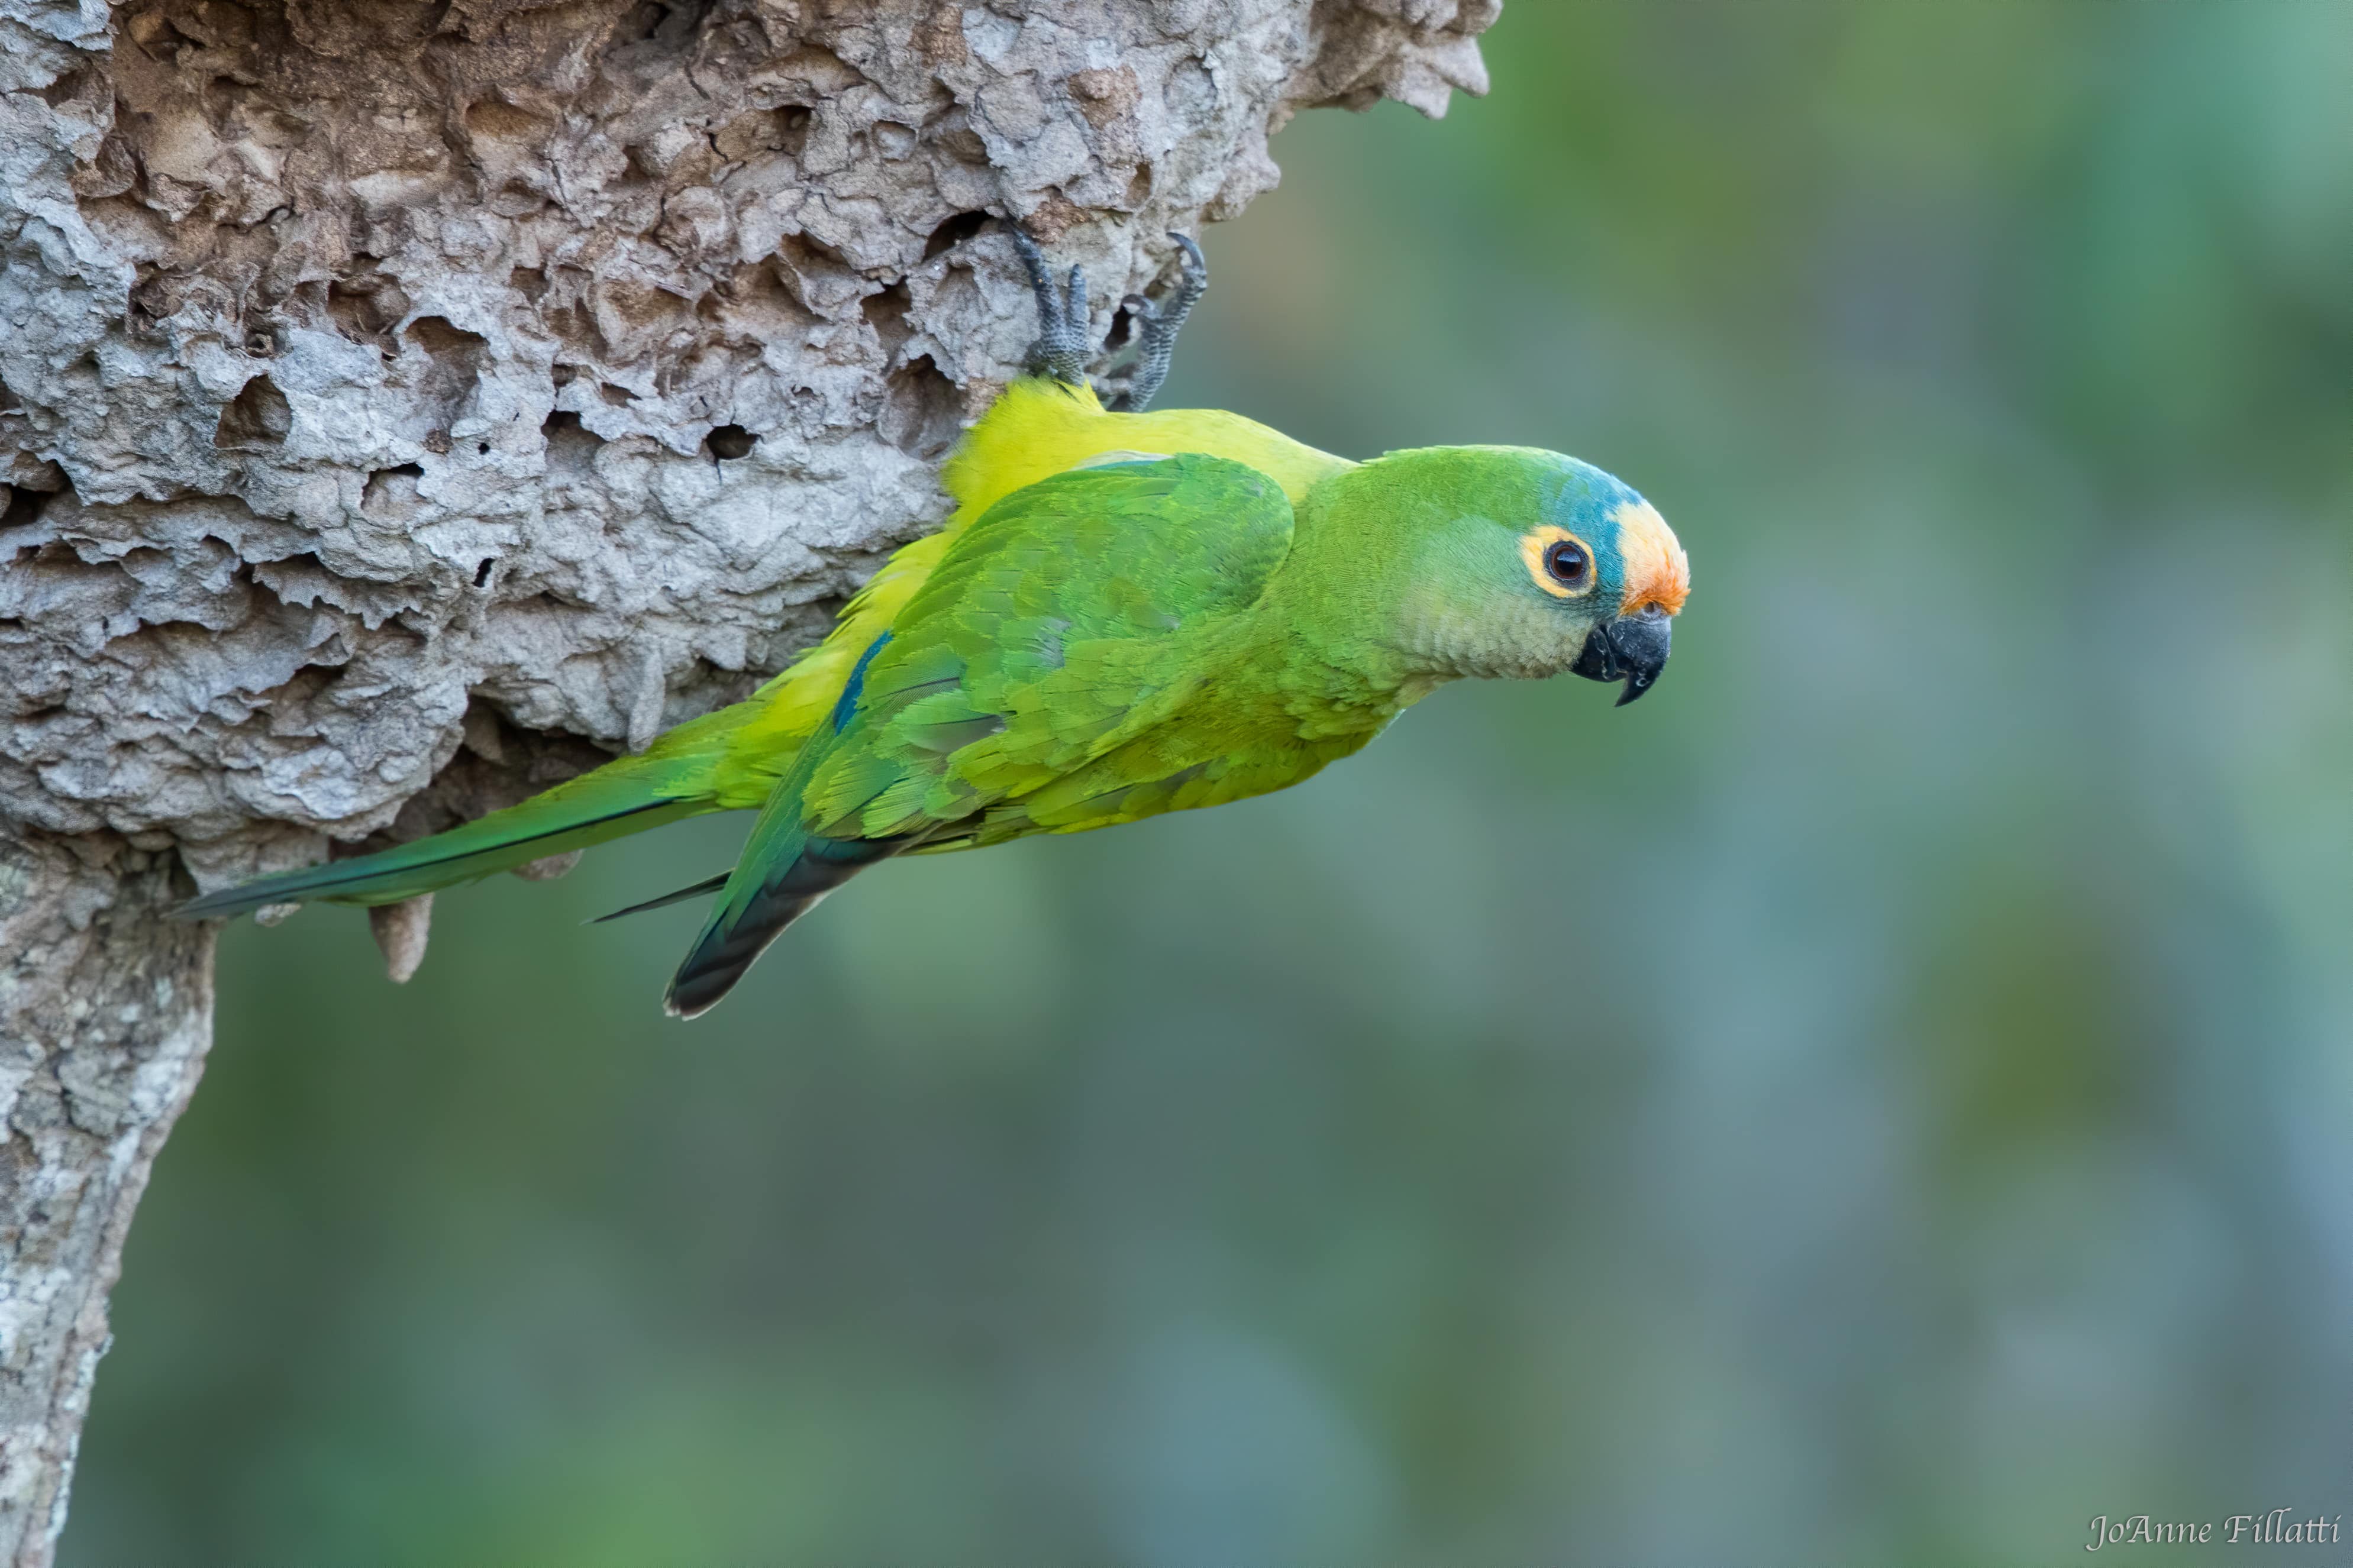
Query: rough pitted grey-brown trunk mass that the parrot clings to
[[406, 406]]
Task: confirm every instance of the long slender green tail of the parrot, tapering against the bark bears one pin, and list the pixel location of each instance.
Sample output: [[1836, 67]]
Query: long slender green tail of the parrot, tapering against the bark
[[620, 798]]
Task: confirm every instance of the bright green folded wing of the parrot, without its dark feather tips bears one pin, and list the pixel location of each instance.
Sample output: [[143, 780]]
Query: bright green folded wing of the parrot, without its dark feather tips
[[1062, 634]]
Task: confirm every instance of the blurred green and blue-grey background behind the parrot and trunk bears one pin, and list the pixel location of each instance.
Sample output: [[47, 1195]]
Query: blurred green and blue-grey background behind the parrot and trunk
[[1884, 1099]]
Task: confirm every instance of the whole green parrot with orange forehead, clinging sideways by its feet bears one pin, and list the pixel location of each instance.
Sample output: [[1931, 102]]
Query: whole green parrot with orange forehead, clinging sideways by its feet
[[1128, 615]]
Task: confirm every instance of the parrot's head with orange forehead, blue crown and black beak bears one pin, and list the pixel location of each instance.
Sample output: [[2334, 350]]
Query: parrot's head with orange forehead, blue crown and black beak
[[1514, 561]]
